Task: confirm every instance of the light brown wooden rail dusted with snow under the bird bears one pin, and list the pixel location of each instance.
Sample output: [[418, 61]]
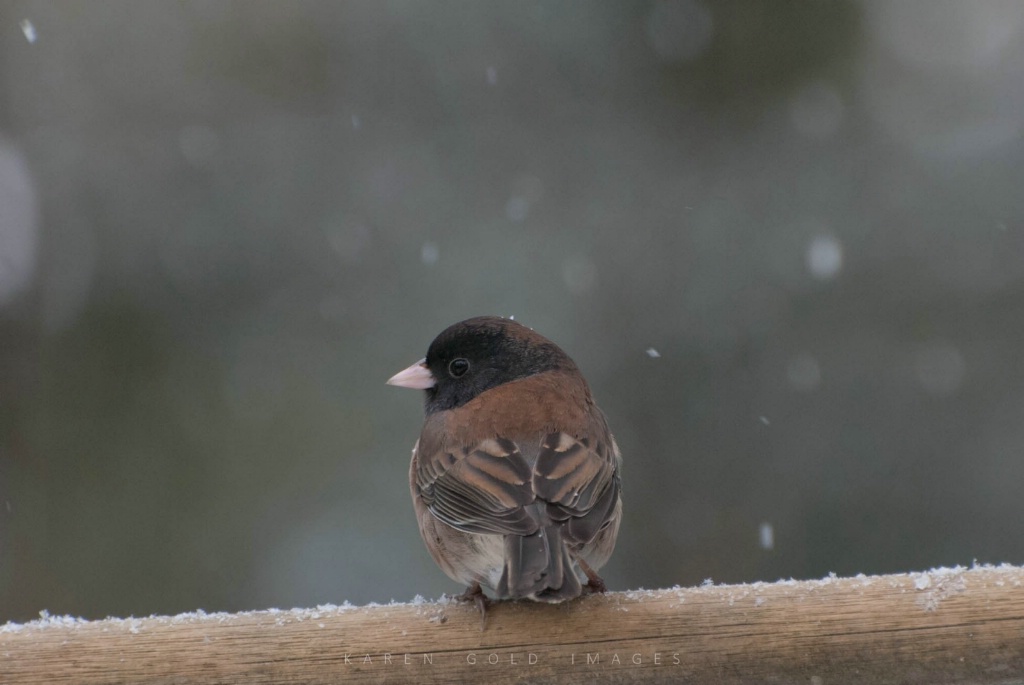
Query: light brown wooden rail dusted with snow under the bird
[[946, 626]]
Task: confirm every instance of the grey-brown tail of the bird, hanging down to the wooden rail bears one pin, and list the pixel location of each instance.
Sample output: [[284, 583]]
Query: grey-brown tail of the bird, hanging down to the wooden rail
[[539, 568]]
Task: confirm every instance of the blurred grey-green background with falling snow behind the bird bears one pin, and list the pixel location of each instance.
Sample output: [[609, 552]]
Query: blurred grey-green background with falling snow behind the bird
[[785, 241]]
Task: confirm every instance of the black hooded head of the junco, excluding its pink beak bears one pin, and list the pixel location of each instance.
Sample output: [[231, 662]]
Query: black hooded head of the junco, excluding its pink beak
[[475, 356]]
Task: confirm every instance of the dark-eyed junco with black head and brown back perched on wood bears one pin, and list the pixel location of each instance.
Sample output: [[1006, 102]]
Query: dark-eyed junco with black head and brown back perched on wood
[[516, 479]]
